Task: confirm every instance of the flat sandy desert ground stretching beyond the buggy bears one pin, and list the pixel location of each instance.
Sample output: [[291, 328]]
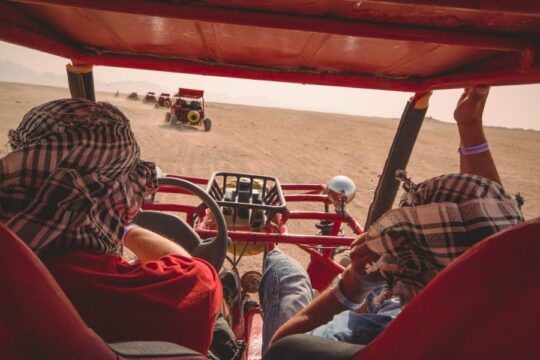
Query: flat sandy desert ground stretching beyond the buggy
[[297, 146]]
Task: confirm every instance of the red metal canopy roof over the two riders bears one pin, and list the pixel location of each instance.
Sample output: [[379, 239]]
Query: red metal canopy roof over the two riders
[[401, 45]]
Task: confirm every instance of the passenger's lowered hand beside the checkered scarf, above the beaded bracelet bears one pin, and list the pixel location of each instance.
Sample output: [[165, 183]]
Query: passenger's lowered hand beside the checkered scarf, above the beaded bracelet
[[356, 283]]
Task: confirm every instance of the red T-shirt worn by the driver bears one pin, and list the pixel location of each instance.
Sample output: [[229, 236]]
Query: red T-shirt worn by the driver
[[174, 299]]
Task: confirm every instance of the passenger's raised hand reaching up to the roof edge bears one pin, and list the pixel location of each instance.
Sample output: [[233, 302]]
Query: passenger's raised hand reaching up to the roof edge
[[470, 106]]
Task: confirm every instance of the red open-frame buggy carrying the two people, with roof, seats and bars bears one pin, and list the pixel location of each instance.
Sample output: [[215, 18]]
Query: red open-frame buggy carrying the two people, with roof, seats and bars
[[398, 45]]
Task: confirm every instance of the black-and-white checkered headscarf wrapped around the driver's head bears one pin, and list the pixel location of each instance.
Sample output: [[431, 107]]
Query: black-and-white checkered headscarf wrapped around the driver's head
[[74, 177]]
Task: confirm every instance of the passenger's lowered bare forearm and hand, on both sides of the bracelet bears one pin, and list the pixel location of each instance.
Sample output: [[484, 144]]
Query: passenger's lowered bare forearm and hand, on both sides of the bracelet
[[356, 285]]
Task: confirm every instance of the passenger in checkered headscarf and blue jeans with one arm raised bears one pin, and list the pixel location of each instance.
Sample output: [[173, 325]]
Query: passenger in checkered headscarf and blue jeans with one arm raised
[[407, 246]]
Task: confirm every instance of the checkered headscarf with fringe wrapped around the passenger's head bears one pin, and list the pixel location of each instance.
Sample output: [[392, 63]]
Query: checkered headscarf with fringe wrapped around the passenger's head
[[439, 219]]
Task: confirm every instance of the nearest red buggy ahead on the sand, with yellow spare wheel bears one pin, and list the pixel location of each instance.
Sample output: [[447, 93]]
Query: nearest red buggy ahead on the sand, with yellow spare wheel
[[188, 108]]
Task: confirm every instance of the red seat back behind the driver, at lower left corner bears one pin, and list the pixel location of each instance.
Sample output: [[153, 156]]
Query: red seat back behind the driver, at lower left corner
[[37, 321]]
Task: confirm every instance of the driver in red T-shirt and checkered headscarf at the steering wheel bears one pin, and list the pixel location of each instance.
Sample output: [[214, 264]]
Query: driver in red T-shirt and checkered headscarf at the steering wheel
[[71, 184]]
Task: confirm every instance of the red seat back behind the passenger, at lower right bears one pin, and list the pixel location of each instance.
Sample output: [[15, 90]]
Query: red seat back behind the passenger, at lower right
[[485, 305]]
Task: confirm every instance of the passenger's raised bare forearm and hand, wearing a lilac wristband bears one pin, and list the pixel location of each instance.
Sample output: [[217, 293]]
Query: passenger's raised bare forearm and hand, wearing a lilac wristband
[[468, 115]]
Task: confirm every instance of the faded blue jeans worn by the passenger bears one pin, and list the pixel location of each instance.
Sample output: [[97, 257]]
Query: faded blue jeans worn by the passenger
[[285, 289]]
